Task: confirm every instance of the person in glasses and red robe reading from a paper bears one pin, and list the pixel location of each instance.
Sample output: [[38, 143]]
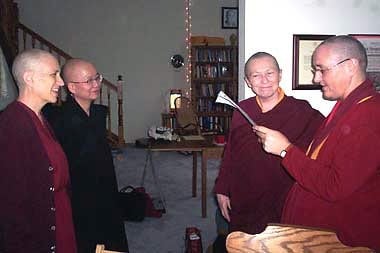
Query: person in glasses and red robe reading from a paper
[[338, 178]]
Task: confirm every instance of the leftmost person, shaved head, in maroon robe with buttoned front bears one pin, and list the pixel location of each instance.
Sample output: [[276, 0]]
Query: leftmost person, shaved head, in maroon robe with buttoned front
[[35, 213]]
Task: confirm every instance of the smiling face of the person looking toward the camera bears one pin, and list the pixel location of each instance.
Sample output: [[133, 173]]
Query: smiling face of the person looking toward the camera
[[263, 77]]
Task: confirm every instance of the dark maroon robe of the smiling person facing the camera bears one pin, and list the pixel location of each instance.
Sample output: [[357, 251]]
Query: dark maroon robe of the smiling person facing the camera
[[253, 179]]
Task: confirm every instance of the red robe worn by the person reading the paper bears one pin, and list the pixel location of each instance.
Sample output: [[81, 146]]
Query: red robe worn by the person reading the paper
[[338, 183]]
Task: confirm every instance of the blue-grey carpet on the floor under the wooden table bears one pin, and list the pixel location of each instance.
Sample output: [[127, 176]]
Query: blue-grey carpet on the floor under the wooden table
[[174, 171]]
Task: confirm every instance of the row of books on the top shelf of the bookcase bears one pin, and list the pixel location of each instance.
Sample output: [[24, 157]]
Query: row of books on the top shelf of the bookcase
[[216, 55]]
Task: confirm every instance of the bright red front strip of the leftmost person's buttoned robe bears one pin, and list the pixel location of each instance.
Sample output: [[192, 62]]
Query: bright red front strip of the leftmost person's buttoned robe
[[65, 235]]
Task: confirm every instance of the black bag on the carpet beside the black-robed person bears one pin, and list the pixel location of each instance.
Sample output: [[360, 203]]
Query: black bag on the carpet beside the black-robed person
[[132, 204]]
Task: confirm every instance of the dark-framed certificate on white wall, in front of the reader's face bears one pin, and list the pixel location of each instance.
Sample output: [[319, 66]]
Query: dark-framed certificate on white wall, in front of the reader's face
[[303, 48]]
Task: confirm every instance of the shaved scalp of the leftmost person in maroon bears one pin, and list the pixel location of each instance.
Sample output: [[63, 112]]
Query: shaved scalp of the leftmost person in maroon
[[28, 60]]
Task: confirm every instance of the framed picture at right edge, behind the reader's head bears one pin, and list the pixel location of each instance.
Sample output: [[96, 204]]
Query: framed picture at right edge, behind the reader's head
[[371, 42]]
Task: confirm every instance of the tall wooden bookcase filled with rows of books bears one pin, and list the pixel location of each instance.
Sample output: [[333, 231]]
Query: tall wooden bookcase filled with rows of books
[[214, 68]]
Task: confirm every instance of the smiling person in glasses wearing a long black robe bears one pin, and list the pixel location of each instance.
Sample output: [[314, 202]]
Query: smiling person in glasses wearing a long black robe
[[80, 126]]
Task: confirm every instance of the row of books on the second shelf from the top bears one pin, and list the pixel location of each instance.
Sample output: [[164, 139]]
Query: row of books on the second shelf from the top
[[212, 70]]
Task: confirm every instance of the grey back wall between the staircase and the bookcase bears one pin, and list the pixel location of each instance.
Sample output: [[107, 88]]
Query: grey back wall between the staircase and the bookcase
[[133, 38]]
